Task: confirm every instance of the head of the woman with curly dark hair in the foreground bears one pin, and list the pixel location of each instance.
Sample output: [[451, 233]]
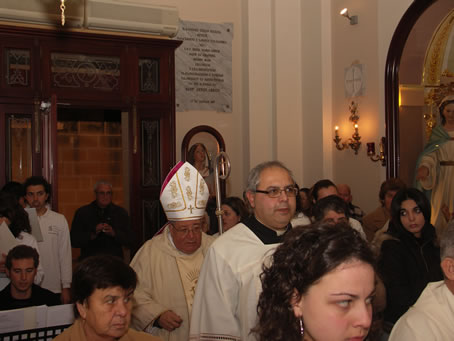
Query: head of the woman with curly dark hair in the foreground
[[319, 286]]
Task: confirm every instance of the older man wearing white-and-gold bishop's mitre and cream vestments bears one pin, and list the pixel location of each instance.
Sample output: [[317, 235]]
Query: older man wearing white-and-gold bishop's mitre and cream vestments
[[168, 265]]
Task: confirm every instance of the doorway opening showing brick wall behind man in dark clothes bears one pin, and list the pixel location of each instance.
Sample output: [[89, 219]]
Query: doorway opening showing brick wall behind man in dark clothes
[[91, 147]]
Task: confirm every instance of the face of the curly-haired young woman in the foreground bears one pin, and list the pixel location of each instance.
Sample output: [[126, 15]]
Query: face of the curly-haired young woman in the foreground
[[339, 306]]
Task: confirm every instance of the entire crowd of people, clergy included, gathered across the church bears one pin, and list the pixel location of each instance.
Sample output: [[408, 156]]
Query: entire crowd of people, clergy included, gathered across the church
[[291, 263]]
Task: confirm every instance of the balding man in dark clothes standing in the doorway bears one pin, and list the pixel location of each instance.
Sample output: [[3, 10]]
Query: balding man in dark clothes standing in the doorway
[[101, 227]]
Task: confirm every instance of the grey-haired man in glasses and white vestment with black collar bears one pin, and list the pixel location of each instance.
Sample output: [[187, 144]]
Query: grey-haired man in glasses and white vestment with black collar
[[225, 303]]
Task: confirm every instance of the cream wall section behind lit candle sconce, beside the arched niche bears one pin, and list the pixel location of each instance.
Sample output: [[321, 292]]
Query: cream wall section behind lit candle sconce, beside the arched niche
[[366, 42]]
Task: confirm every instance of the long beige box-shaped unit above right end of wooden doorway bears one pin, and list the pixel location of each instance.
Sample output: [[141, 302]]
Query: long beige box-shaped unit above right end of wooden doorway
[[126, 16]]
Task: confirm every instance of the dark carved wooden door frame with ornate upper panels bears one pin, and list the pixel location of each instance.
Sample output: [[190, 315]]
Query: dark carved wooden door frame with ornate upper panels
[[122, 86]]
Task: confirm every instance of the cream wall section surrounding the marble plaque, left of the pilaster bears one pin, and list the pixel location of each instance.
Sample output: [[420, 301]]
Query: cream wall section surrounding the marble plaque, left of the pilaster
[[230, 125]]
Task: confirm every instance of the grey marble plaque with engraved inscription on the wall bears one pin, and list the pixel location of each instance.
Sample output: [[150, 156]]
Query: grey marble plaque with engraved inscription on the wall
[[203, 67]]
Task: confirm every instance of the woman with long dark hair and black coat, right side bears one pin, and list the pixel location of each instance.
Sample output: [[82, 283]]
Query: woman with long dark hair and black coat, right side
[[409, 255]]
